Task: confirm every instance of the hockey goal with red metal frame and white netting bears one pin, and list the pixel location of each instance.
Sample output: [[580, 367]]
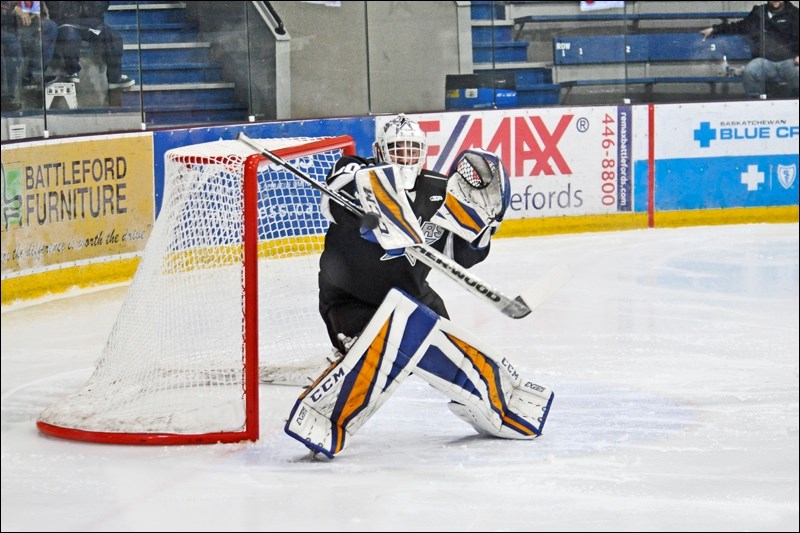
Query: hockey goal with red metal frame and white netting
[[233, 257]]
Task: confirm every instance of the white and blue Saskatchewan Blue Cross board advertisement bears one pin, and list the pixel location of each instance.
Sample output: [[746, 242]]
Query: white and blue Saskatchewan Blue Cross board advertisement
[[726, 156]]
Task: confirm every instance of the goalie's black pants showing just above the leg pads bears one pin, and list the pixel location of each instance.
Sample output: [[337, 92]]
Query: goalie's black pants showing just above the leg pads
[[343, 313]]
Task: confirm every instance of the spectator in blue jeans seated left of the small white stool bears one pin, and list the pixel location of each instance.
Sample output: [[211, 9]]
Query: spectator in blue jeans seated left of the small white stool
[[38, 38]]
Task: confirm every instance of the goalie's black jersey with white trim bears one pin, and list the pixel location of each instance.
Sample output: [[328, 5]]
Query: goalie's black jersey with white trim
[[353, 265]]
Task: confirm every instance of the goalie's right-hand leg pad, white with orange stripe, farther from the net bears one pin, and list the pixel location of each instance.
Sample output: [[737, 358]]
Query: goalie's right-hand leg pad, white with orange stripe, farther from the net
[[489, 395]]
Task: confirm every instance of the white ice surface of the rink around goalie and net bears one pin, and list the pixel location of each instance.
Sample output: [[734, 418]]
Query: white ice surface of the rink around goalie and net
[[673, 354]]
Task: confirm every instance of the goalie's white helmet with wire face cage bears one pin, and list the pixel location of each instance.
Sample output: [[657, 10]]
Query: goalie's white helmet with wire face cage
[[404, 144]]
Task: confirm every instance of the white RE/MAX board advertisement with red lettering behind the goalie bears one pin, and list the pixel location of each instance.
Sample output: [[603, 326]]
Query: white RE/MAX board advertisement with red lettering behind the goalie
[[560, 161]]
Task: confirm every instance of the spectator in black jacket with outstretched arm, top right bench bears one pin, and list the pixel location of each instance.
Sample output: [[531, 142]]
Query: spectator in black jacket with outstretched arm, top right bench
[[772, 29]]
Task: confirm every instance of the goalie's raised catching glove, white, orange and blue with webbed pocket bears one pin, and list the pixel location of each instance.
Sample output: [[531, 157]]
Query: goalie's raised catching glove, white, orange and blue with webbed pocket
[[478, 194]]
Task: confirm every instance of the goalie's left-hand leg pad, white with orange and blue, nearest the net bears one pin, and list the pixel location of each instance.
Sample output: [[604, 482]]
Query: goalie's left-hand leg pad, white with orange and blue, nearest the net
[[346, 395]]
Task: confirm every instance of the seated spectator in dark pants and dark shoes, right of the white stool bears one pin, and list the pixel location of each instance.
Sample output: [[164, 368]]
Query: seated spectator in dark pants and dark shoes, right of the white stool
[[85, 21]]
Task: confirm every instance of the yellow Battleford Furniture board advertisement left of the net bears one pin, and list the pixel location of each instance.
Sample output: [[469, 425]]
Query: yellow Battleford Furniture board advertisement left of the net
[[68, 201]]
